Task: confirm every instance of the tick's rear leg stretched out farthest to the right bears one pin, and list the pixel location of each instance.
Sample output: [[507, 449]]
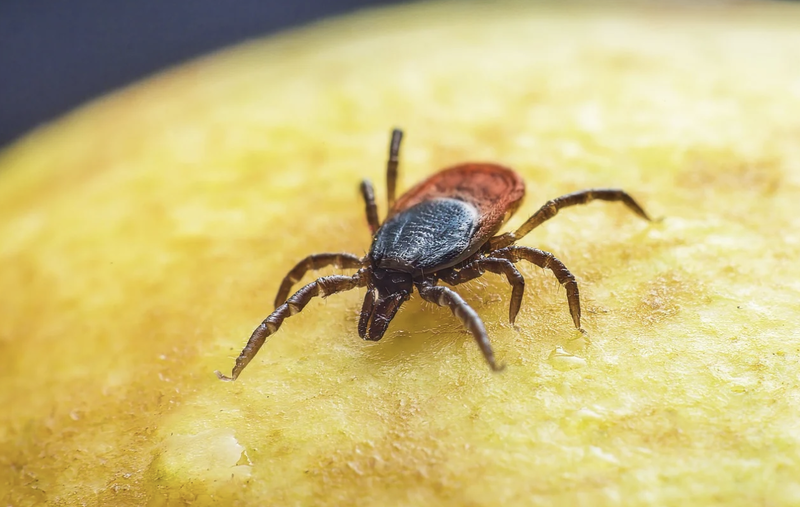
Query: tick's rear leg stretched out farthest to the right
[[551, 208]]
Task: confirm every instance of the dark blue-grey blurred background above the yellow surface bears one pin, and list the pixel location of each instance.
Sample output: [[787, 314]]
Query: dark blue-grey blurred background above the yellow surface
[[56, 55]]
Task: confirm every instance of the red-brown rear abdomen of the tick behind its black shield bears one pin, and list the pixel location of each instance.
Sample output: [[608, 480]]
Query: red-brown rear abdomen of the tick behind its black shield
[[494, 190]]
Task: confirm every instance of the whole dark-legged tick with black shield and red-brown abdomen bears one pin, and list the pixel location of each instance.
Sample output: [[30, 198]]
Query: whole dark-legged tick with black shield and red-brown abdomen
[[443, 229]]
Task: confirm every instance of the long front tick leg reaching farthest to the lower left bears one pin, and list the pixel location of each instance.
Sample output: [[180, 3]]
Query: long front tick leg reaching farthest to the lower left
[[323, 287]]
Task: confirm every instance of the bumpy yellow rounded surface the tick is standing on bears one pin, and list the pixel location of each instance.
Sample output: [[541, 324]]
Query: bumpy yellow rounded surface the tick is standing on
[[144, 236]]
